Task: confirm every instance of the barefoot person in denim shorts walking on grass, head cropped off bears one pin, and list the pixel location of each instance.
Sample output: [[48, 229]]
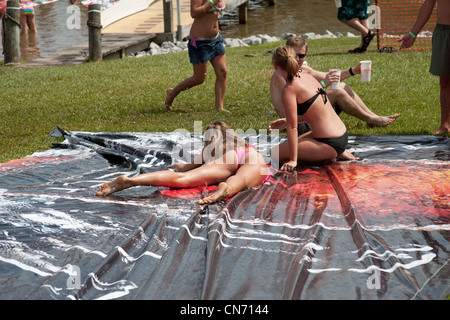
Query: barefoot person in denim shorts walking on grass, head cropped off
[[205, 44]]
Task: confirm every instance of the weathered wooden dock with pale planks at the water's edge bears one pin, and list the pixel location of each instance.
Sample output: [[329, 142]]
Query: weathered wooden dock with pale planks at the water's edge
[[158, 23]]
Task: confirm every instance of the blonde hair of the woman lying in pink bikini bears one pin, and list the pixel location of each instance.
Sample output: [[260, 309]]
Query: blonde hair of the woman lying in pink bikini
[[218, 139]]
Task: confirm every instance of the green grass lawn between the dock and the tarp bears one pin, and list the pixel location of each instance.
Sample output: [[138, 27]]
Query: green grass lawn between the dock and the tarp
[[128, 95]]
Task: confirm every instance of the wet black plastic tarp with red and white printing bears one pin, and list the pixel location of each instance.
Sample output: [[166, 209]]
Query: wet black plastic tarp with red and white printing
[[376, 228]]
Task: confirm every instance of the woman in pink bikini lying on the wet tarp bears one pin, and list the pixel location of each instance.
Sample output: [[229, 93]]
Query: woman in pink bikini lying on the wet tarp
[[226, 160]]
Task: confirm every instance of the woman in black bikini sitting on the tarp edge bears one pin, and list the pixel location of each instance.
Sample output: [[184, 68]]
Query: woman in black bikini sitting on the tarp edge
[[303, 96]]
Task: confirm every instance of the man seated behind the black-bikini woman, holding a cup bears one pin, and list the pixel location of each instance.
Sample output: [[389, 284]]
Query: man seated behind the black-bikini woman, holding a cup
[[344, 99]]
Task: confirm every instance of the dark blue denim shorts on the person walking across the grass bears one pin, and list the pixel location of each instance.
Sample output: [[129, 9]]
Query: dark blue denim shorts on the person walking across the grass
[[202, 50]]
